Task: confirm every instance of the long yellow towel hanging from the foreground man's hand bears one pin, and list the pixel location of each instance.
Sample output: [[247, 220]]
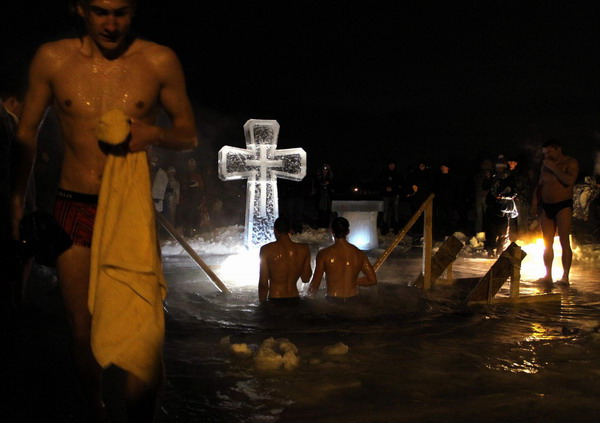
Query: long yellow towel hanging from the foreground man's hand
[[127, 285]]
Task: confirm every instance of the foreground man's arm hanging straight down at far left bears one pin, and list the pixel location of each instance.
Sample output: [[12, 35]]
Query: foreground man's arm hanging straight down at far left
[[37, 100]]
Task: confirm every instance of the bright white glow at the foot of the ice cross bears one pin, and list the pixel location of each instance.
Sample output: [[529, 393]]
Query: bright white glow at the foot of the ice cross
[[240, 270]]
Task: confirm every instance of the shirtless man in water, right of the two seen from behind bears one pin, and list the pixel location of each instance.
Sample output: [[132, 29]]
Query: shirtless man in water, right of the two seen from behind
[[342, 262]]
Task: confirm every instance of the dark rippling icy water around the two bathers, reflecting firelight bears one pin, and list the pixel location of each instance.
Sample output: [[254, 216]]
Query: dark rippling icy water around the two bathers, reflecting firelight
[[410, 358]]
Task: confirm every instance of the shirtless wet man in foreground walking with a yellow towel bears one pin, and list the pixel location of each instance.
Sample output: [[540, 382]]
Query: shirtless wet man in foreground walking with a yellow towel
[[82, 78]]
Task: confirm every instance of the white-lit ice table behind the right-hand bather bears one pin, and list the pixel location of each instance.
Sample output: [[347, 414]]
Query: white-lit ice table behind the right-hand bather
[[362, 216]]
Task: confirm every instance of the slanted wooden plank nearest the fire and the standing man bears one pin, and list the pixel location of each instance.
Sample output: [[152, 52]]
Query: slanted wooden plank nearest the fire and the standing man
[[493, 280]]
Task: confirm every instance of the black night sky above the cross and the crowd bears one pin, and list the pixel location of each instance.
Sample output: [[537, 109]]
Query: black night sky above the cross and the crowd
[[364, 82]]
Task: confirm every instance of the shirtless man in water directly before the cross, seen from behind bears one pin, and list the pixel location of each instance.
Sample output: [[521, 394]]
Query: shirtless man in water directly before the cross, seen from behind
[[281, 264]]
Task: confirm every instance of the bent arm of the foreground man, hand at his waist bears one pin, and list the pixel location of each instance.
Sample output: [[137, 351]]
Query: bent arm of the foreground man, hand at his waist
[[173, 98]]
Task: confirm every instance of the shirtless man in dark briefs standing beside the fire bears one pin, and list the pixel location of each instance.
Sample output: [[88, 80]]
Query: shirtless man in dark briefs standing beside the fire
[[553, 200]]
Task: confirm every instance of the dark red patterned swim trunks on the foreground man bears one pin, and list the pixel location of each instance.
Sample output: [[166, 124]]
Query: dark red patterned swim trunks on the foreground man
[[75, 213]]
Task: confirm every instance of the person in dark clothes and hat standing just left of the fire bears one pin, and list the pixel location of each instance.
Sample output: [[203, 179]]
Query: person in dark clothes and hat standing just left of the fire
[[499, 207]]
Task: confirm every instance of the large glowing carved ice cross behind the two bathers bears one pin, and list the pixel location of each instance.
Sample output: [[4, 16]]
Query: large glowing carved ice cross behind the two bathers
[[261, 164]]
